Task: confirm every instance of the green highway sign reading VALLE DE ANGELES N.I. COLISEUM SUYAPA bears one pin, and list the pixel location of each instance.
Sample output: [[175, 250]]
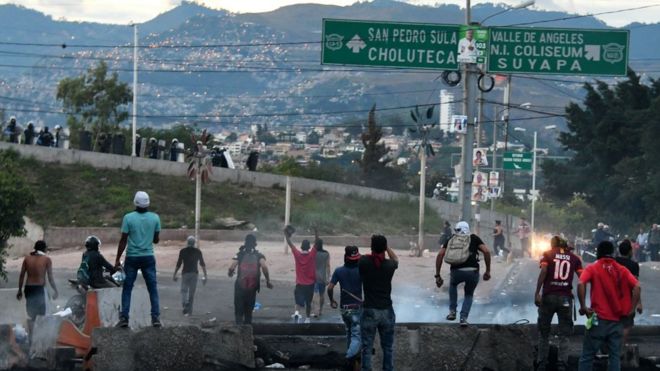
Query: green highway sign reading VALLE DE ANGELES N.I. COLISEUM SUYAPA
[[558, 51]]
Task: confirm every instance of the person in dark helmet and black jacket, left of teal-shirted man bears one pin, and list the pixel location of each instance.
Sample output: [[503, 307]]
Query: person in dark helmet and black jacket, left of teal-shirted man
[[93, 266]]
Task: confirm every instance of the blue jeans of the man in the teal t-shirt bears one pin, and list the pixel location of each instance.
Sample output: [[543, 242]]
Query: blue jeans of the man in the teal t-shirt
[[147, 264]]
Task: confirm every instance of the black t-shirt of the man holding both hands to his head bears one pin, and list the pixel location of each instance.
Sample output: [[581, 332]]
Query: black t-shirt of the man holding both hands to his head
[[377, 283]]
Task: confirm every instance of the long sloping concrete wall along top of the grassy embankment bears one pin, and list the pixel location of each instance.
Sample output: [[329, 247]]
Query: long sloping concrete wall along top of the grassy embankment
[[446, 210]]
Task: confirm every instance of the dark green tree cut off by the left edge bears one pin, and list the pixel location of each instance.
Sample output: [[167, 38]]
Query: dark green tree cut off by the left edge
[[15, 198]]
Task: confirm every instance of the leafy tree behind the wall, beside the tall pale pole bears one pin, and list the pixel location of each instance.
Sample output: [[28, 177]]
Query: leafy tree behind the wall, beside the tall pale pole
[[94, 101]]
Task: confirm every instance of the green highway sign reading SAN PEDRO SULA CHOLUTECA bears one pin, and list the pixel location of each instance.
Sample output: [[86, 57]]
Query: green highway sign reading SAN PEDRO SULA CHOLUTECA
[[389, 44]]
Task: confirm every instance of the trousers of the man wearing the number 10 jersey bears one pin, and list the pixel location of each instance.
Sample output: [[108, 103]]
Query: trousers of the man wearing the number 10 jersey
[[551, 304]]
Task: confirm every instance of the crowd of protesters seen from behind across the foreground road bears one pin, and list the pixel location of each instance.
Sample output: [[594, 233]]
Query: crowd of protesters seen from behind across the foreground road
[[365, 284]]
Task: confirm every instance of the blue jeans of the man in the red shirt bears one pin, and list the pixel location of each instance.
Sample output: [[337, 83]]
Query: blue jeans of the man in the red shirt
[[609, 332]]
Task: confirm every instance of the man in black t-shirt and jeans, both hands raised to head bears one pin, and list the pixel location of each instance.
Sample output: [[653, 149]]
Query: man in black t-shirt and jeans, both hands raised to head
[[376, 273]]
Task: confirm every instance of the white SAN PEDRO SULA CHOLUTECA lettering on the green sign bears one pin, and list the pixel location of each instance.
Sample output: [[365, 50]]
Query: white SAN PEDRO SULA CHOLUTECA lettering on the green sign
[[408, 37]]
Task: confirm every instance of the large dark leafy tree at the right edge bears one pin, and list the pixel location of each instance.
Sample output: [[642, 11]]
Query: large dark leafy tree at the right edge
[[615, 162]]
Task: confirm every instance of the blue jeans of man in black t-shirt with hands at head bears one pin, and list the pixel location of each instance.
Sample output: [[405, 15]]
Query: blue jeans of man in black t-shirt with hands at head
[[382, 320]]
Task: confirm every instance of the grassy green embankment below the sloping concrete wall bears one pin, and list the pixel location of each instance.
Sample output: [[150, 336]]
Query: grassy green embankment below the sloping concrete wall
[[82, 196]]
